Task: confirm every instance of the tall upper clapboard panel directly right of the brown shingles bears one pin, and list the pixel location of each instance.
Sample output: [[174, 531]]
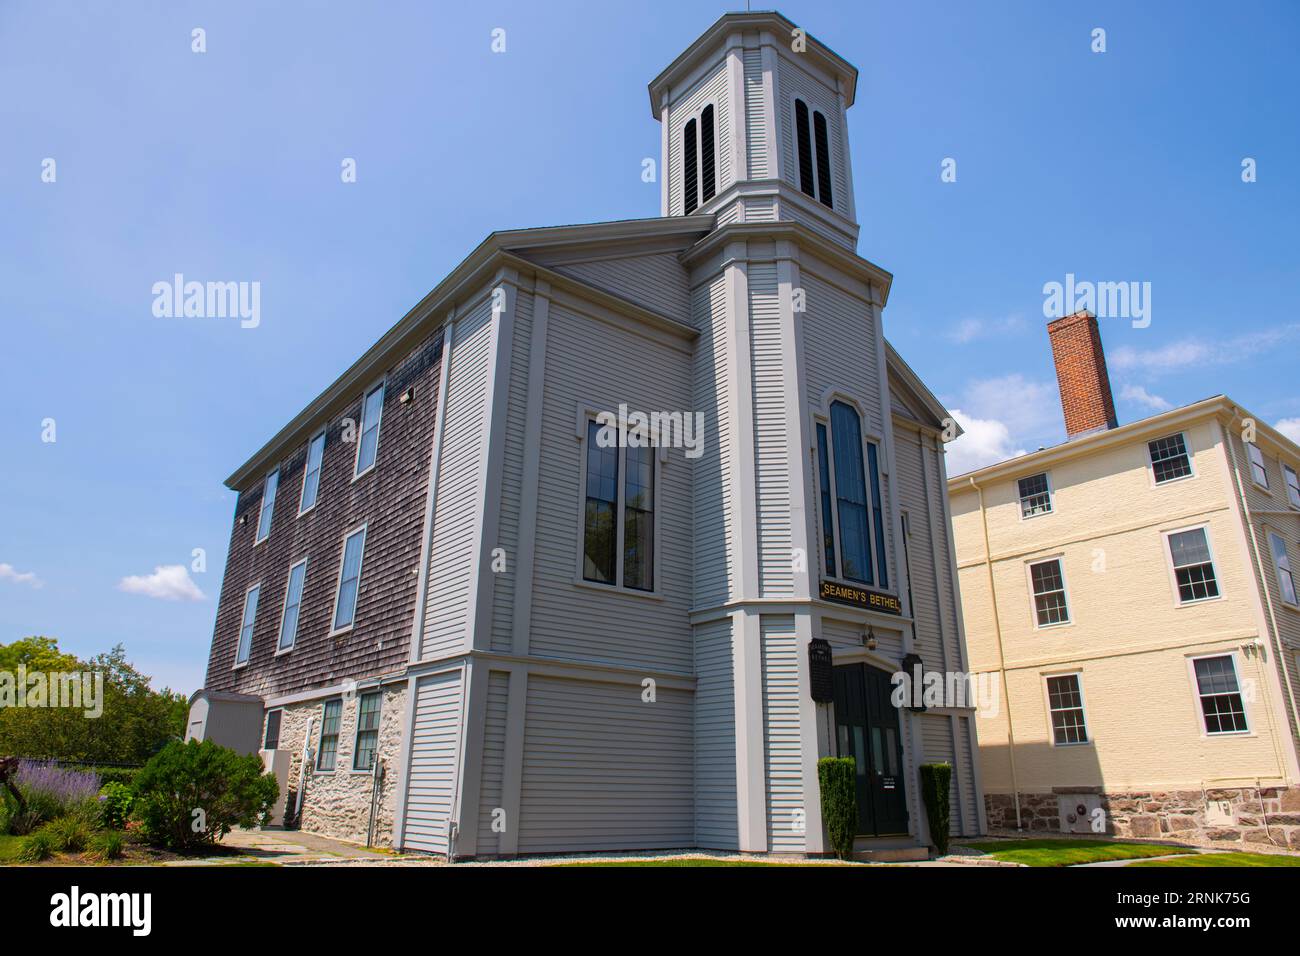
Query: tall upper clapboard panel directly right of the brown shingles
[[452, 561]]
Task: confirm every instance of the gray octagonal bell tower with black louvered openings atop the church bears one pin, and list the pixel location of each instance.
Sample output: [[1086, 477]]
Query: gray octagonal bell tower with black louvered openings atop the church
[[753, 128]]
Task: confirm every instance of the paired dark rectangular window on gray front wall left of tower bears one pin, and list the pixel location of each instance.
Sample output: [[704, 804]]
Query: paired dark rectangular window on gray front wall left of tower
[[618, 524]]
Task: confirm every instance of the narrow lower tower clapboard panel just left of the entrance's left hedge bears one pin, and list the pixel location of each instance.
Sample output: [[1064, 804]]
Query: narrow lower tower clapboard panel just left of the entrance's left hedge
[[782, 741]]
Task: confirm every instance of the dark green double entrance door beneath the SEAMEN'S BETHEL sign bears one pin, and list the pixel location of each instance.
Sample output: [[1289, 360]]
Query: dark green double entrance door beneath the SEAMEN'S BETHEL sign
[[868, 730]]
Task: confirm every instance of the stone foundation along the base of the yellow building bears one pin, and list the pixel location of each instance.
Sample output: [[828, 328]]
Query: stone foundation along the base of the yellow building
[[1184, 815]]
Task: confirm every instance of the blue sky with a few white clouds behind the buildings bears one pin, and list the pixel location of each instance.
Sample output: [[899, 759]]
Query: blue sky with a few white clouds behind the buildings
[[1124, 166]]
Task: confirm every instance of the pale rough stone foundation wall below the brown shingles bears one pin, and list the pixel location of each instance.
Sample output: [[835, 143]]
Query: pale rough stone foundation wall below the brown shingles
[[337, 803]]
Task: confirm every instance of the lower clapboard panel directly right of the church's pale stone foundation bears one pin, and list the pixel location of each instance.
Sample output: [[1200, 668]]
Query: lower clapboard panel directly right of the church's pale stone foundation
[[435, 755]]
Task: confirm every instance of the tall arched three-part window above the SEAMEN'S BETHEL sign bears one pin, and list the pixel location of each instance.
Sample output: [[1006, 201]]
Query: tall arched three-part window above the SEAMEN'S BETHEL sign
[[852, 504]]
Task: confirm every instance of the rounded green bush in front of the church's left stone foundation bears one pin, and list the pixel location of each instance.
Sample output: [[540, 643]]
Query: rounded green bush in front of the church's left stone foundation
[[192, 795]]
